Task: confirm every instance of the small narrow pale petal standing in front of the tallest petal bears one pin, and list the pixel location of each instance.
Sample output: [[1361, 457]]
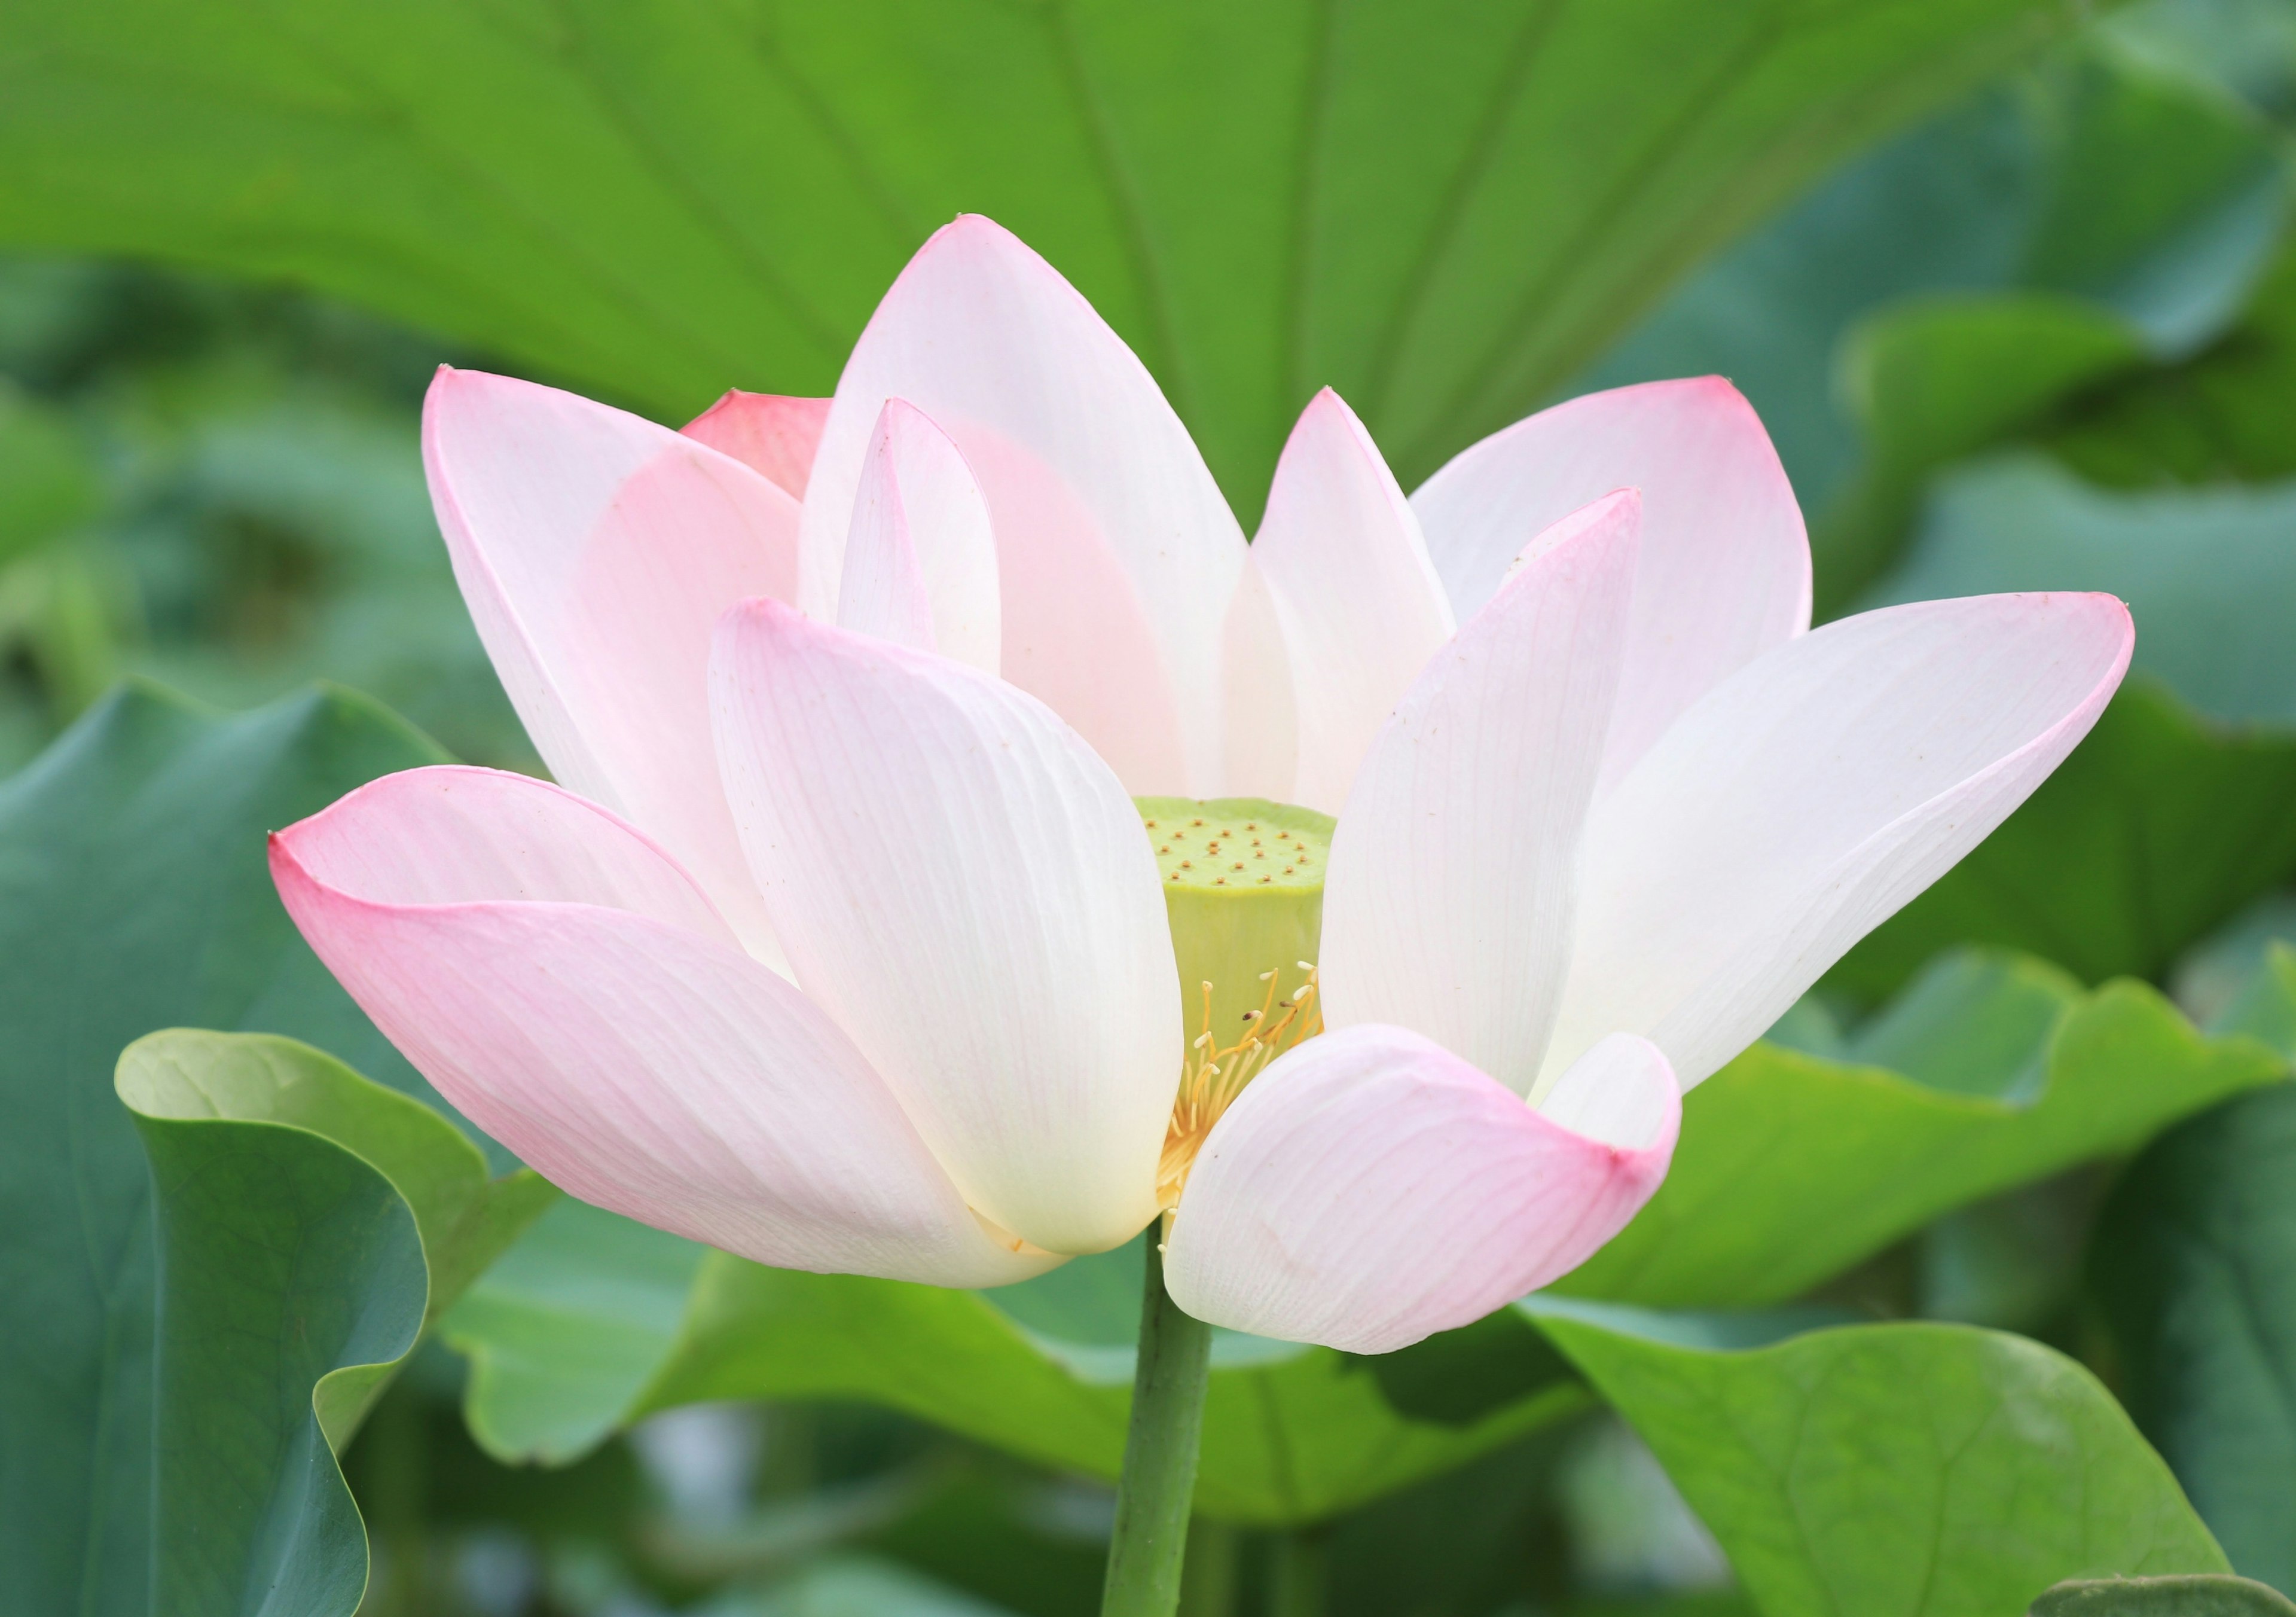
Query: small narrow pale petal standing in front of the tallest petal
[[920, 557]]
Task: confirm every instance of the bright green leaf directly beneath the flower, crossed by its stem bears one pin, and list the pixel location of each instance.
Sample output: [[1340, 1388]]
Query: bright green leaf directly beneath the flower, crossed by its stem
[[568, 1349]]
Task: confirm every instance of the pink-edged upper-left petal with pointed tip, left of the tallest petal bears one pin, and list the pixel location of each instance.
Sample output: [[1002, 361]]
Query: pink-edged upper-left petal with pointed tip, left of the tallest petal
[[596, 552]]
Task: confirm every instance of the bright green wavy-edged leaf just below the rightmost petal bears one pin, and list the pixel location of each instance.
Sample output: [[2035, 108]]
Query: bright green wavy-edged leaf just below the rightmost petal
[[1987, 1074]]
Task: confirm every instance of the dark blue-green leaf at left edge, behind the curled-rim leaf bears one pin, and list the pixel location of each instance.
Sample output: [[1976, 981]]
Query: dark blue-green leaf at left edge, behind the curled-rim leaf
[[134, 897]]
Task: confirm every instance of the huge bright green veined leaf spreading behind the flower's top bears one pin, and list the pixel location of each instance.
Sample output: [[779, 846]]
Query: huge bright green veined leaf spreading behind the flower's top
[[1441, 210]]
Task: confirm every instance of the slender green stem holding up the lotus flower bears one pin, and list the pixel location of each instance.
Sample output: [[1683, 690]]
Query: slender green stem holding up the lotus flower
[[1154, 1496]]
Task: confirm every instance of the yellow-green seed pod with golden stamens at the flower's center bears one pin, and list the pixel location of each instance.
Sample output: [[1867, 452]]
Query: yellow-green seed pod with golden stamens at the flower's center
[[1243, 890]]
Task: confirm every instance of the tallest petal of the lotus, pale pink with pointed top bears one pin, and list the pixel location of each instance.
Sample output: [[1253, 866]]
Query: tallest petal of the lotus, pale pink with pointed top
[[1117, 550]]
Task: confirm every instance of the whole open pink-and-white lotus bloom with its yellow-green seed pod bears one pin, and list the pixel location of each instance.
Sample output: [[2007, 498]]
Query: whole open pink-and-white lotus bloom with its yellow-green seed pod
[[917, 745]]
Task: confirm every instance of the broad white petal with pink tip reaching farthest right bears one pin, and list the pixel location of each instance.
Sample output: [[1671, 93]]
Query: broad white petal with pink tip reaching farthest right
[[1808, 798]]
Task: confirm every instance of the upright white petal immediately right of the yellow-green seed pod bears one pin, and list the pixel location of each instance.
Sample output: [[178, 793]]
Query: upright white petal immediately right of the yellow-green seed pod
[[1450, 892]]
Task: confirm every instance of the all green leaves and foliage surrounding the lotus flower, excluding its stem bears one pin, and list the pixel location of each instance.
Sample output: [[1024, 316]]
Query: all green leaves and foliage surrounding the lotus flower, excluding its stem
[[1978, 1276]]
